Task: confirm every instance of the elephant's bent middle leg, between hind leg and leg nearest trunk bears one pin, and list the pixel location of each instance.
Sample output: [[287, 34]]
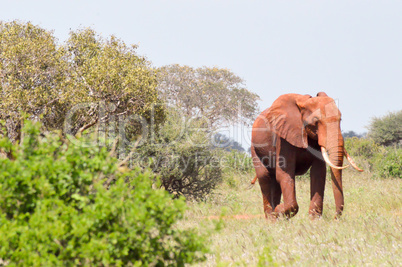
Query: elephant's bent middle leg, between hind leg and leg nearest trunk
[[285, 175]]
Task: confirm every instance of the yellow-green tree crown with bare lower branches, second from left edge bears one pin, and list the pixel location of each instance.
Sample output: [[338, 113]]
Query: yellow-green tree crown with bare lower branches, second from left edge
[[110, 78]]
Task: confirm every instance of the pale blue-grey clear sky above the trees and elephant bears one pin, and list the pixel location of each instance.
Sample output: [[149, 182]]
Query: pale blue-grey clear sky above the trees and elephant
[[352, 50]]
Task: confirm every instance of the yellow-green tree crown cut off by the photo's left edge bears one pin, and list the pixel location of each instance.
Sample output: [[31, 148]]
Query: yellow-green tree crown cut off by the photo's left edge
[[32, 75]]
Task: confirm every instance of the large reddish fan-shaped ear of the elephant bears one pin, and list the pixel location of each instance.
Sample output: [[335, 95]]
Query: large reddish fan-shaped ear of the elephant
[[285, 117]]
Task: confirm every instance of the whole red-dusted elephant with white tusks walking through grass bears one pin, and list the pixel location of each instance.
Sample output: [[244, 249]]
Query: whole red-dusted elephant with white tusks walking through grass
[[298, 133]]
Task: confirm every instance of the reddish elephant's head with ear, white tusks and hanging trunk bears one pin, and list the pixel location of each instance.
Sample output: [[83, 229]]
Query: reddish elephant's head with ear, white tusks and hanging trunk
[[296, 118]]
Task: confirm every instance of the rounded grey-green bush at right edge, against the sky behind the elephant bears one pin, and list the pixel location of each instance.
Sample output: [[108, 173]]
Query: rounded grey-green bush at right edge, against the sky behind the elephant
[[387, 130]]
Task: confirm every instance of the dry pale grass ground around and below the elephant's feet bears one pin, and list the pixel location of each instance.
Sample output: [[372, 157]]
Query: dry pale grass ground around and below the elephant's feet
[[368, 234]]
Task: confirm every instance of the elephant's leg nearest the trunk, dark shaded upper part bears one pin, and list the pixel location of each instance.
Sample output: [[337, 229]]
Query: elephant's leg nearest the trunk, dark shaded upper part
[[317, 187]]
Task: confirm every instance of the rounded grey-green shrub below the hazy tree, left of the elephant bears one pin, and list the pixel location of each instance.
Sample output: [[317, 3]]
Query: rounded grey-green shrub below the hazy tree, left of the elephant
[[180, 153]]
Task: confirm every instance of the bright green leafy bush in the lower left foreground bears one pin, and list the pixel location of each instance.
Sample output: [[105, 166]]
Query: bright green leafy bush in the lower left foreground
[[56, 211]]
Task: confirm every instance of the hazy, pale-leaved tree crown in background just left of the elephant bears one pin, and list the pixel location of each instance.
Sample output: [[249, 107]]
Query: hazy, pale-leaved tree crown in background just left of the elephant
[[217, 95]]
